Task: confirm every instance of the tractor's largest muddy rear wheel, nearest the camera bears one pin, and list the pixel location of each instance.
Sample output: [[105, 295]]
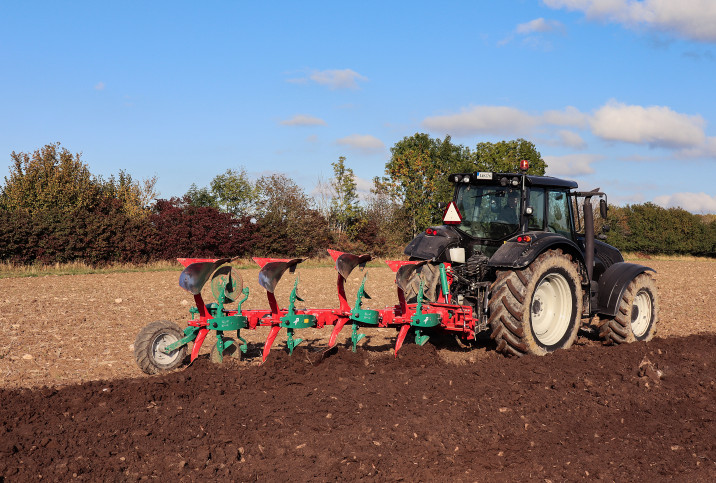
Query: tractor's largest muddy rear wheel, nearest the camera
[[536, 310]]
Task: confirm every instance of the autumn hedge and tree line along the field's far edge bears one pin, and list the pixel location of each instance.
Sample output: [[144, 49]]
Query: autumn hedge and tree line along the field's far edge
[[54, 210]]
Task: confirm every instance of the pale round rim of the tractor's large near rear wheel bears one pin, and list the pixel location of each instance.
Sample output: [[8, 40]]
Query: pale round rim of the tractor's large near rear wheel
[[551, 309]]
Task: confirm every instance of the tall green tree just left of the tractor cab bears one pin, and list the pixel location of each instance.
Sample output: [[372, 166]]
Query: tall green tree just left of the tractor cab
[[417, 174]]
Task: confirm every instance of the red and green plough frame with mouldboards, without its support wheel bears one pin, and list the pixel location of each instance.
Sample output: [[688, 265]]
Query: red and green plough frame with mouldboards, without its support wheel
[[419, 315]]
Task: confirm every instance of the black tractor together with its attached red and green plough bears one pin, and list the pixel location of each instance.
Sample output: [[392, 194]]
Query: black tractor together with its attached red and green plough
[[515, 257]]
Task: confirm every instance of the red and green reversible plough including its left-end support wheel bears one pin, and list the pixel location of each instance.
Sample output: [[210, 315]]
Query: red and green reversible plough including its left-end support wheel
[[162, 345]]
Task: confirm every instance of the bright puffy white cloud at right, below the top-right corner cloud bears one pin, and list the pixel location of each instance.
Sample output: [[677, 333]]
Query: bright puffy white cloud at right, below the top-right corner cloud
[[654, 125]]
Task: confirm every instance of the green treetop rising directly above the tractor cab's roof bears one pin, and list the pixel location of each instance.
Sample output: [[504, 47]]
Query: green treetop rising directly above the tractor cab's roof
[[505, 157]]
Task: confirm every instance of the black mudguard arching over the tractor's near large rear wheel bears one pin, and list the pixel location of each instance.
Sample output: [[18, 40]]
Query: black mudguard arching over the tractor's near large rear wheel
[[516, 255]]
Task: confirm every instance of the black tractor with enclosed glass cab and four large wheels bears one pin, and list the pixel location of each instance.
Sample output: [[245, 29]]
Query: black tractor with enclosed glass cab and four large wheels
[[522, 252]]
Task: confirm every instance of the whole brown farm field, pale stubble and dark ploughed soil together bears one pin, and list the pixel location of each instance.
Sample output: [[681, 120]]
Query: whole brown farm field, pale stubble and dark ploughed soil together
[[75, 405]]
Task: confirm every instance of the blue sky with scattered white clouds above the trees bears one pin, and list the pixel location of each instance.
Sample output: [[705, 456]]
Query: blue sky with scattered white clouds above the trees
[[616, 94]]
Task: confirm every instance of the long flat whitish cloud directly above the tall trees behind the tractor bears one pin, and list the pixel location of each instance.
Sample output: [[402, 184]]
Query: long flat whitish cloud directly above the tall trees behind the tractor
[[499, 120]]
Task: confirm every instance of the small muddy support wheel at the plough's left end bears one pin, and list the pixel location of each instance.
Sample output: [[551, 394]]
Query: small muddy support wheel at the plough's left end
[[149, 344]]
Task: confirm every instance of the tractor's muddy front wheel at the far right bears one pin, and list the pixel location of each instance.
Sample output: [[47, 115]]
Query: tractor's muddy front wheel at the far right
[[637, 316]]
